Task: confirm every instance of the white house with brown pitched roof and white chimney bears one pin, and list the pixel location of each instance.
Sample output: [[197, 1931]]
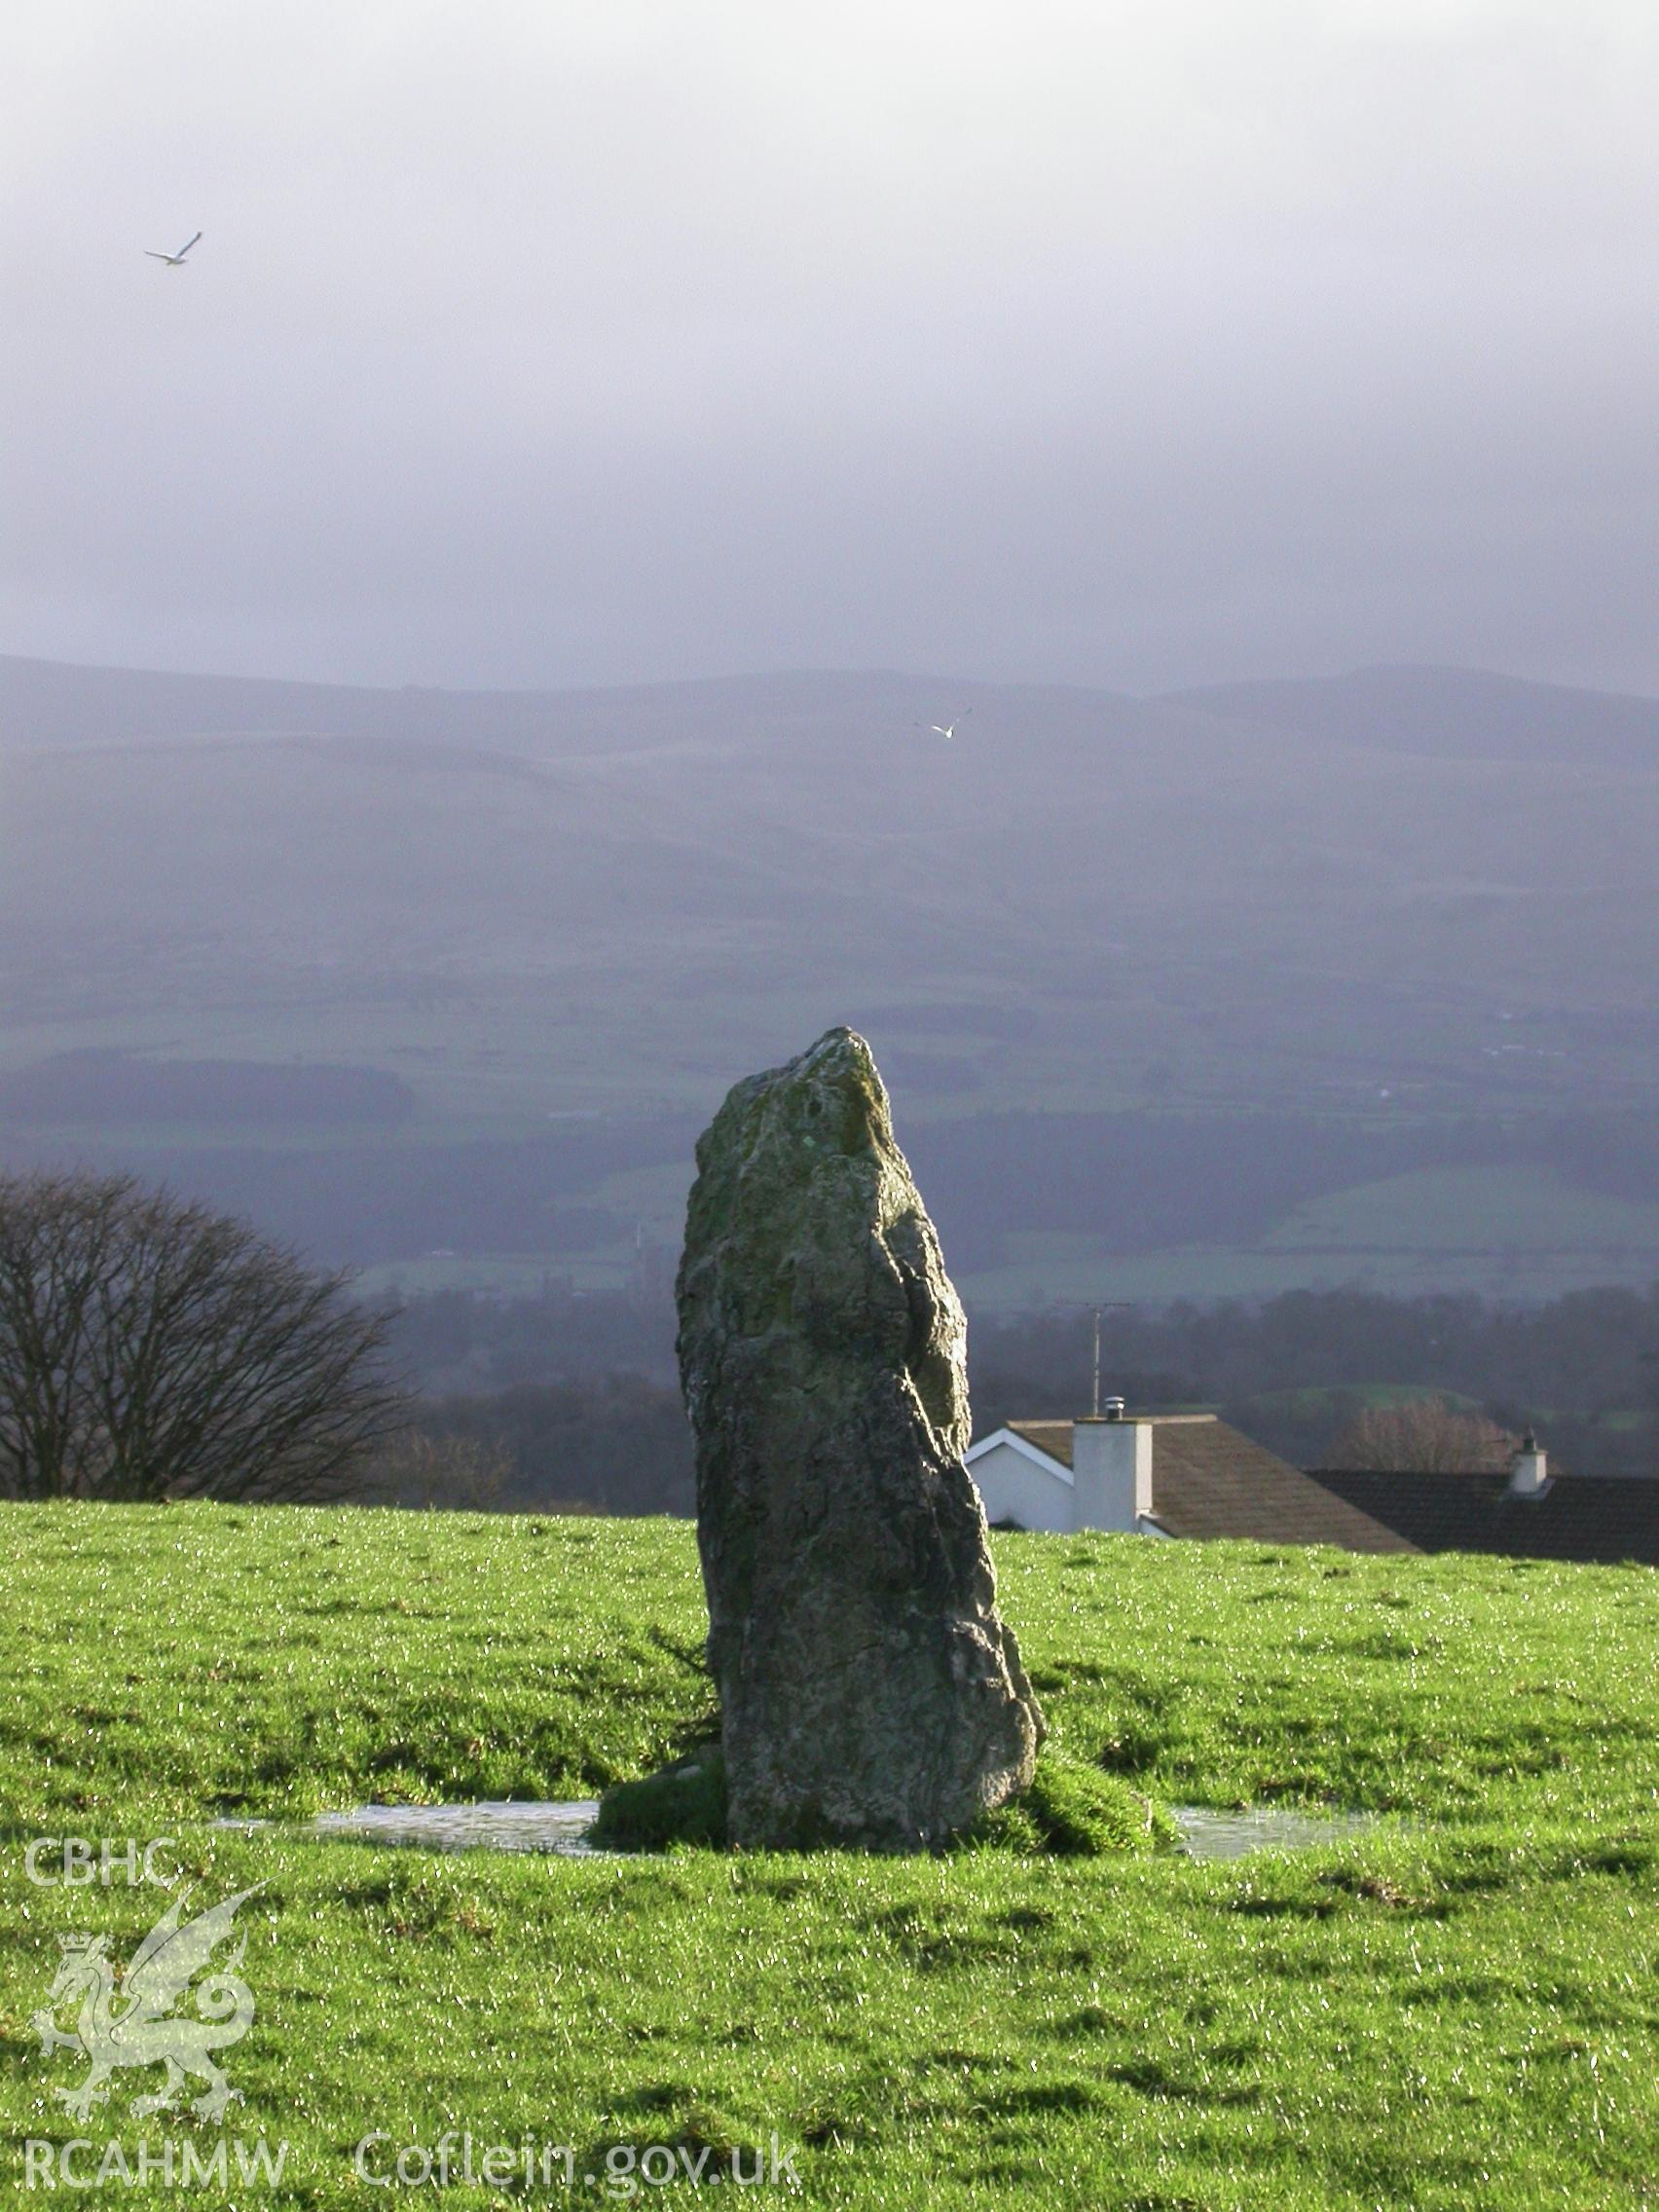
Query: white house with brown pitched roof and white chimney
[[1160, 1474]]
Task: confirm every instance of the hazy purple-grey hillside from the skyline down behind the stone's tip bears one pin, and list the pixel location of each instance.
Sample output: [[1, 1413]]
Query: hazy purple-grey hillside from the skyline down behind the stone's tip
[[1386, 904]]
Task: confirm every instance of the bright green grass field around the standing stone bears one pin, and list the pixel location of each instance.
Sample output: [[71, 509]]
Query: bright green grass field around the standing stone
[[1454, 2010]]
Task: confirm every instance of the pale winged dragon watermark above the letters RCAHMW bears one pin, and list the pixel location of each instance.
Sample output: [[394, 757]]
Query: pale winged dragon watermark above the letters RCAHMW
[[138, 2025]]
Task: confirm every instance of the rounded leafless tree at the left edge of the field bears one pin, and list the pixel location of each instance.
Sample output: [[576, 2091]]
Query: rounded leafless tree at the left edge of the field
[[152, 1348]]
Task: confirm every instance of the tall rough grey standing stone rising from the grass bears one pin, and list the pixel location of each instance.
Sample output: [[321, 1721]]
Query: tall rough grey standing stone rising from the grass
[[868, 1689]]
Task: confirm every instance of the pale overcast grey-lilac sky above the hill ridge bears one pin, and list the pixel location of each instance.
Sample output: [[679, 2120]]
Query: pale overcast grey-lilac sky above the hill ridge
[[559, 342]]
